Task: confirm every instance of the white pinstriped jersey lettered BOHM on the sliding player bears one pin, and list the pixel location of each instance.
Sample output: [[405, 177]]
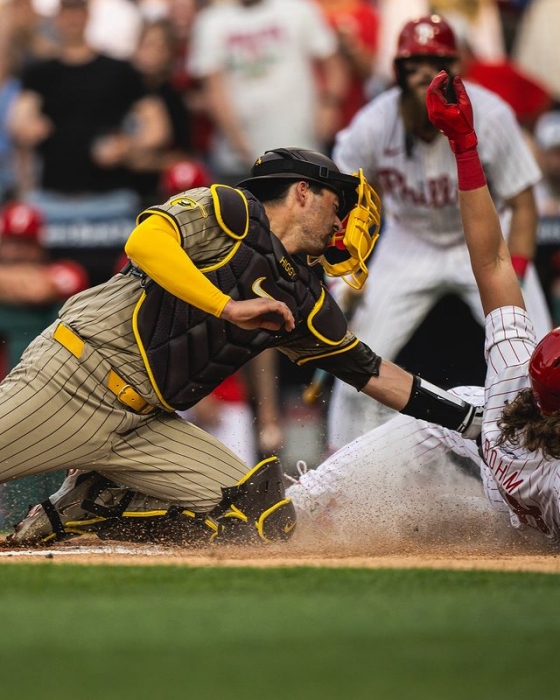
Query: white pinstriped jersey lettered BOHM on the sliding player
[[527, 482]]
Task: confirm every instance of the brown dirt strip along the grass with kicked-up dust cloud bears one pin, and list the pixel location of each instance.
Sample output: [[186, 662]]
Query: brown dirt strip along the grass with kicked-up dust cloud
[[405, 518]]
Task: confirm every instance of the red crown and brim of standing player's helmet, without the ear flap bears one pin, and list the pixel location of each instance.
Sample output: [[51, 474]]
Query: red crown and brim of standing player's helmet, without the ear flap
[[426, 36]]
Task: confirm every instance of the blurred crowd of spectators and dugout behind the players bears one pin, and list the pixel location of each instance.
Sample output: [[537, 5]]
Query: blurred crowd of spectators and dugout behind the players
[[108, 106]]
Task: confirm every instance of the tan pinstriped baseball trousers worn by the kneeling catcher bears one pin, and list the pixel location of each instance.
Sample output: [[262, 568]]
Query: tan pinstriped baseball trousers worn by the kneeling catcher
[[56, 413]]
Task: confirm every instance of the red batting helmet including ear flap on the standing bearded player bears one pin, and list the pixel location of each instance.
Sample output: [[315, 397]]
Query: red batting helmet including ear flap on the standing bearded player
[[425, 37]]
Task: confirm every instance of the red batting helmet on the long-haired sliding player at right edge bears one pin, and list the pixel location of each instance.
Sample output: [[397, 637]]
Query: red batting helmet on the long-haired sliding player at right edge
[[544, 373]]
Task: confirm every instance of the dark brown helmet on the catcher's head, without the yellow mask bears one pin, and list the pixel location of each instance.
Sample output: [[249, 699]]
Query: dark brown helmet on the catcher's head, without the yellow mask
[[302, 164]]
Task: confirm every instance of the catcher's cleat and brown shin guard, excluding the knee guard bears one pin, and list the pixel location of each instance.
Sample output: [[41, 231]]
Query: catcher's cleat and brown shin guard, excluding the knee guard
[[88, 502]]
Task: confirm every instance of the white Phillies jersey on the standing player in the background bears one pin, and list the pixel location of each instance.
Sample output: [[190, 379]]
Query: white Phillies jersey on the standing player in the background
[[420, 193]]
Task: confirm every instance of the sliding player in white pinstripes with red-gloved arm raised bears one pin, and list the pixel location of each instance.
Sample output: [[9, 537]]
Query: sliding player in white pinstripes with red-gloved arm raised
[[520, 443]]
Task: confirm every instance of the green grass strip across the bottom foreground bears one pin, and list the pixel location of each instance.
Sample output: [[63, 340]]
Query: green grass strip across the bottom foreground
[[104, 633]]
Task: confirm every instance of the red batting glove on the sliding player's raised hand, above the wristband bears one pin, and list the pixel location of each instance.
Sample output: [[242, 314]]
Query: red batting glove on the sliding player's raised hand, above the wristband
[[454, 120]]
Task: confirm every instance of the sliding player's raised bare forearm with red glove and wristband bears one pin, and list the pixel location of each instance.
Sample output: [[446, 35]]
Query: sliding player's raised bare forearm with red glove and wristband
[[490, 260]]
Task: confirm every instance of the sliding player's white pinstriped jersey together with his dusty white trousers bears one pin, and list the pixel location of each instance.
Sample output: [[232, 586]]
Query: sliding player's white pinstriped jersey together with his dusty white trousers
[[401, 469]]
